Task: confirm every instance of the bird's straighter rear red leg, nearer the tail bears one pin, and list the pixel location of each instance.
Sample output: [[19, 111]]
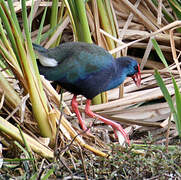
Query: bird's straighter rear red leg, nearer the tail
[[76, 110]]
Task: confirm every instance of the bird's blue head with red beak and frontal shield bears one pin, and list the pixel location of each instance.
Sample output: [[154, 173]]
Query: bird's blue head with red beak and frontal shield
[[131, 68]]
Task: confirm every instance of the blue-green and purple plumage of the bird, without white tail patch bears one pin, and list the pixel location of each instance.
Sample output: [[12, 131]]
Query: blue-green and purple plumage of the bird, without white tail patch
[[86, 69]]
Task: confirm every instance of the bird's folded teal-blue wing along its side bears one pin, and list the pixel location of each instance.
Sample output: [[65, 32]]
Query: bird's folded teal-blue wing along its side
[[77, 67]]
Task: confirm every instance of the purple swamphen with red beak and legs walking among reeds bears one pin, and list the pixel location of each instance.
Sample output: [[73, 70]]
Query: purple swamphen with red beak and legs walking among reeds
[[87, 69]]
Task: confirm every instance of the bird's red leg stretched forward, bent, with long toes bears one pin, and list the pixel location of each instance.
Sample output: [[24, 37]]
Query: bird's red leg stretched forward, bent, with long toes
[[115, 126]]
